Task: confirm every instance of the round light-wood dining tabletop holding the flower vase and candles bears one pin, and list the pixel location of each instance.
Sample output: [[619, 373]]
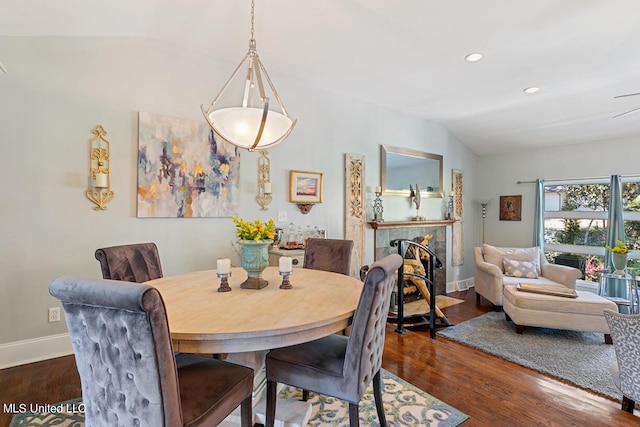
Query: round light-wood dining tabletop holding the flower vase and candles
[[203, 320]]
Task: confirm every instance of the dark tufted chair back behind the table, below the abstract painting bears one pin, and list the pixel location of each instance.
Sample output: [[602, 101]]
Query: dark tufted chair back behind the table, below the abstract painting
[[137, 263]]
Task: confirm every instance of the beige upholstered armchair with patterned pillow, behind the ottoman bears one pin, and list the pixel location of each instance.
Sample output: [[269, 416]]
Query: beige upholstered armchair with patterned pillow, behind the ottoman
[[496, 267]]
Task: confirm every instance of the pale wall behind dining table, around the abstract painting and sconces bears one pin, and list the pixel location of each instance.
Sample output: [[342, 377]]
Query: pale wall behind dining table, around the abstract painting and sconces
[[58, 89]]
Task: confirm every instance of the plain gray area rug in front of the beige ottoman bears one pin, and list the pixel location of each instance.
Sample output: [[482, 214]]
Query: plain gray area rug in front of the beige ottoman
[[578, 358]]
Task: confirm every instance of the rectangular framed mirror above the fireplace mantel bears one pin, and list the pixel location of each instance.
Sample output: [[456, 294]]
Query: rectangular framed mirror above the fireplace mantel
[[400, 167]]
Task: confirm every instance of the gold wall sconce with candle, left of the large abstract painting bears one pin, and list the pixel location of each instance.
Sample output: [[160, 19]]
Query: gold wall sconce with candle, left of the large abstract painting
[[99, 191]]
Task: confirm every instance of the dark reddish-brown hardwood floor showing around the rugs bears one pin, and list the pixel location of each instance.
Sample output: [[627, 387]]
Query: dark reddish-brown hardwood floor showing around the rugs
[[492, 391]]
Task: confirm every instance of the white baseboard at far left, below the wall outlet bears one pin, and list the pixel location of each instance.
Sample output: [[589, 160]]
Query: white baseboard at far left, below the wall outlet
[[34, 350]]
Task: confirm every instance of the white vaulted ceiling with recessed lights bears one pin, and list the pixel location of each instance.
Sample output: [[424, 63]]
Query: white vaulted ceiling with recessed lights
[[407, 55]]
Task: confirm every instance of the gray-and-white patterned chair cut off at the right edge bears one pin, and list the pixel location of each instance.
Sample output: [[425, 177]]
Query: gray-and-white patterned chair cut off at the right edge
[[625, 333]]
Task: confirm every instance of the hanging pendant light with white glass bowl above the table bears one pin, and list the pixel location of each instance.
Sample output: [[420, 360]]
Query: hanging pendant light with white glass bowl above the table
[[252, 125]]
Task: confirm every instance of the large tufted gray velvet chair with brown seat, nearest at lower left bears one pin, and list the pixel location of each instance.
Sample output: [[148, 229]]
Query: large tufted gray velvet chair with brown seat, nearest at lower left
[[127, 368]]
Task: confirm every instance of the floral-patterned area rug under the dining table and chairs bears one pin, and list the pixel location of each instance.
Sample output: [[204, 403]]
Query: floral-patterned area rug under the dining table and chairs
[[405, 405]]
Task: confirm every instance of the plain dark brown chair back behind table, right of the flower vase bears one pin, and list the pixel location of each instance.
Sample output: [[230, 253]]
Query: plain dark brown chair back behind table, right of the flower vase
[[328, 255]]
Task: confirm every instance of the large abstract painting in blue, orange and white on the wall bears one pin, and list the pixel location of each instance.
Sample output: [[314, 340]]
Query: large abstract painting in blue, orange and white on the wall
[[184, 171]]
